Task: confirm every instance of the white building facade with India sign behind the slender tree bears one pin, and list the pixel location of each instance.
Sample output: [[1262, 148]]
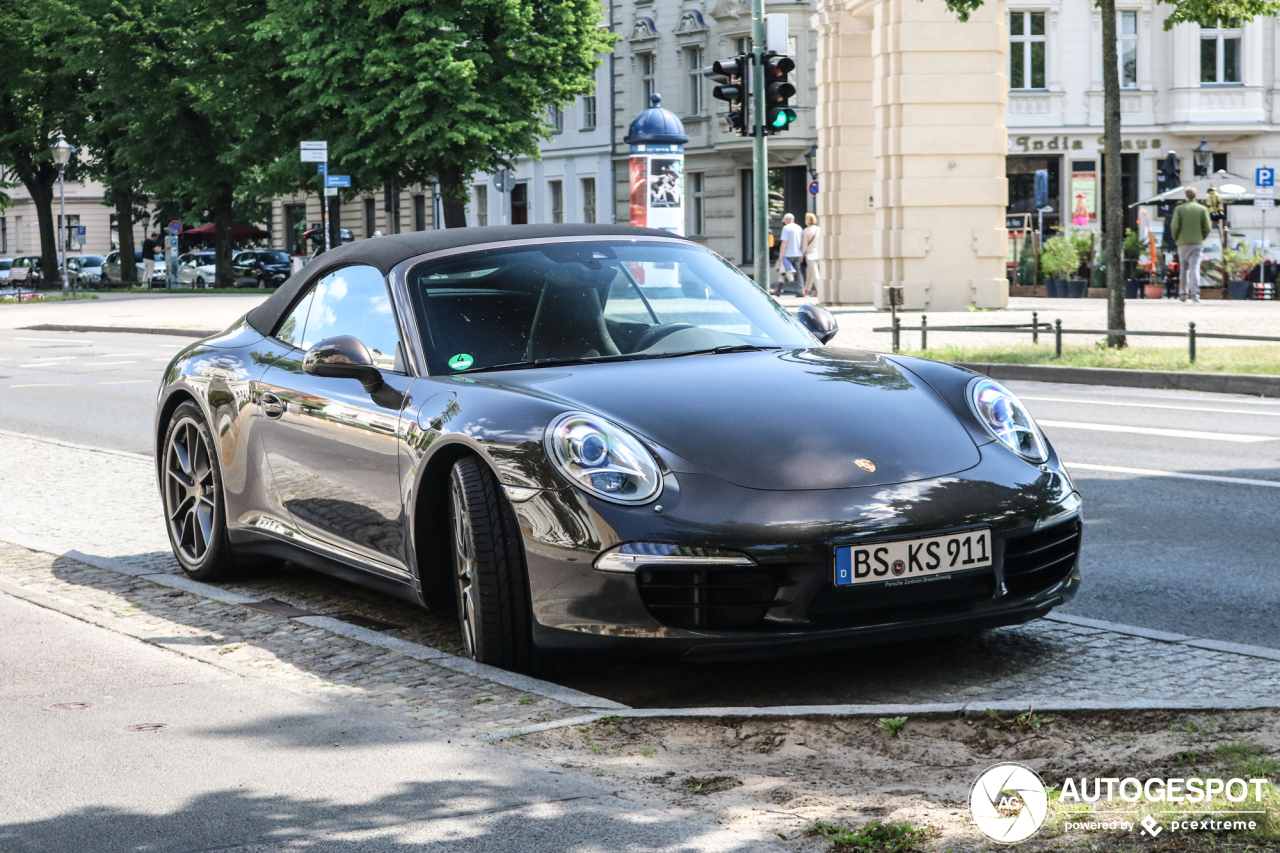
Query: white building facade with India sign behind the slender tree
[[1180, 88]]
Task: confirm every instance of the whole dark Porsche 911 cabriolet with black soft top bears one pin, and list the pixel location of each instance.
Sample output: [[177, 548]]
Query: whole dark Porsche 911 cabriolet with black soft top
[[593, 440]]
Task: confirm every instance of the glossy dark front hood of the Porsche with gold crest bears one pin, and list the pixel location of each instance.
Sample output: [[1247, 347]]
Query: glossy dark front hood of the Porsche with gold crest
[[798, 419]]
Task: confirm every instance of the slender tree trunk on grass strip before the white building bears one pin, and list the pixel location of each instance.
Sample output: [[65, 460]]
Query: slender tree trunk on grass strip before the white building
[[1114, 225]]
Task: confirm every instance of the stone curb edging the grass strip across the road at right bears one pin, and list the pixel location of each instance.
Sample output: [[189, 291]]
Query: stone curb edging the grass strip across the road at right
[[1222, 384]]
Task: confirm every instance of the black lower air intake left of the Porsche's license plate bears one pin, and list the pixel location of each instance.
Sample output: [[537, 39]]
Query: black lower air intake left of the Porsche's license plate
[[712, 599]]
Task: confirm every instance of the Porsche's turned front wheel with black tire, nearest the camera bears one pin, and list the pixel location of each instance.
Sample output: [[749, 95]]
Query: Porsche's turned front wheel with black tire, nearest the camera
[[490, 573]]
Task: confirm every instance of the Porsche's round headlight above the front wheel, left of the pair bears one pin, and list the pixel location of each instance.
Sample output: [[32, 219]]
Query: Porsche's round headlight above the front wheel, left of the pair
[[604, 459]]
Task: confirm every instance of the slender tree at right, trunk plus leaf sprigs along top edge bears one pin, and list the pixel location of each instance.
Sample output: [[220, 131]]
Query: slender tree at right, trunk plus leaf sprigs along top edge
[[1206, 13]]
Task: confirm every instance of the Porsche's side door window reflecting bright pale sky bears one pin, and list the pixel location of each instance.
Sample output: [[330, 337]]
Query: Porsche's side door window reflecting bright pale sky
[[355, 302]]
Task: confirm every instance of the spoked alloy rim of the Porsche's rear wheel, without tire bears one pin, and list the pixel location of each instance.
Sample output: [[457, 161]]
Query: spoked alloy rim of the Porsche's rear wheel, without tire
[[191, 490]]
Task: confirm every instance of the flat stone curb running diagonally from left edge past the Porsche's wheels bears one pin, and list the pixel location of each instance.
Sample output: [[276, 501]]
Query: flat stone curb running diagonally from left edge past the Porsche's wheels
[[418, 651]]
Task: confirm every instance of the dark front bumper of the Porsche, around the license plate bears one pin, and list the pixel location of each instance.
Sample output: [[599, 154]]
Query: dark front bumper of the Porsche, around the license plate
[[792, 537]]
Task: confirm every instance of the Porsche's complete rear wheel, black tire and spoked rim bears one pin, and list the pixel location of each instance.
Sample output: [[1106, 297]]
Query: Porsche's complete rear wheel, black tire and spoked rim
[[195, 512]]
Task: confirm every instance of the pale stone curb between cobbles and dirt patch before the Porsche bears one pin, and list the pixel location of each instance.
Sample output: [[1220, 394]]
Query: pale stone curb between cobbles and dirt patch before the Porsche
[[820, 711]]
